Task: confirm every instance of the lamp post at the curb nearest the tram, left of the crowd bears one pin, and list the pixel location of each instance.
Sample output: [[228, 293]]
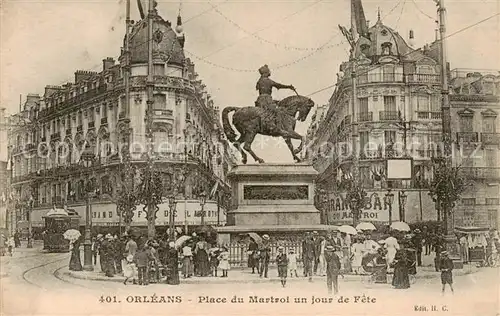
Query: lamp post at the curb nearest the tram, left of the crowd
[[88, 158]]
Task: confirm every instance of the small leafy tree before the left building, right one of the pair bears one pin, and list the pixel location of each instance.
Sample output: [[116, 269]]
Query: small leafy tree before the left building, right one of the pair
[[149, 194]]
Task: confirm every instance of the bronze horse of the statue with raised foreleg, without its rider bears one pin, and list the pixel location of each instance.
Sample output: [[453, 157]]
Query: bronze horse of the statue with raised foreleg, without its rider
[[250, 121]]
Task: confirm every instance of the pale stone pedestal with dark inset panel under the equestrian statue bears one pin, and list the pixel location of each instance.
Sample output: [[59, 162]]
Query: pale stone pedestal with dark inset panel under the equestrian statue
[[272, 199]]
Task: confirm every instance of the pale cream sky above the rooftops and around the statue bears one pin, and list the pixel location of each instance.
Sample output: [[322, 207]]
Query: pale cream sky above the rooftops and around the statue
[[45, 41]]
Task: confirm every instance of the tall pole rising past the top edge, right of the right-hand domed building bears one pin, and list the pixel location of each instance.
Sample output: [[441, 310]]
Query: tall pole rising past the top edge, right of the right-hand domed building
[[446, 160]]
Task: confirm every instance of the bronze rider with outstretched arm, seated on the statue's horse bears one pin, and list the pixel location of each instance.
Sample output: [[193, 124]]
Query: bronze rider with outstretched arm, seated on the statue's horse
[[265, 86]]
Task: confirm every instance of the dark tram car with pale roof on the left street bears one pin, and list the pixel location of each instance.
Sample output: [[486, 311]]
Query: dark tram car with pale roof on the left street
[[57, 222]]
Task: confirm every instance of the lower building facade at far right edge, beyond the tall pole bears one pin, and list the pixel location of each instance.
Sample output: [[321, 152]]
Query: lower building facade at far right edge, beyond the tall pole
[[475, 104]]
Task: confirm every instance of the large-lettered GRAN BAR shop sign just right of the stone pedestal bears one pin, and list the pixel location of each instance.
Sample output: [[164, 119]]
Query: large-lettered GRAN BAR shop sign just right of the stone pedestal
[[376, 208]]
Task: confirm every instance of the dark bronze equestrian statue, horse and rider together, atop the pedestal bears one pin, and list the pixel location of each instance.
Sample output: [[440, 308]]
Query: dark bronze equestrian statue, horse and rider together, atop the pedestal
[[267, 117]]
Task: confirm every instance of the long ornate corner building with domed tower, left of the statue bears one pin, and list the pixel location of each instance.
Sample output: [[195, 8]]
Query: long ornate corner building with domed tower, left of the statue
[[48, 136]]
